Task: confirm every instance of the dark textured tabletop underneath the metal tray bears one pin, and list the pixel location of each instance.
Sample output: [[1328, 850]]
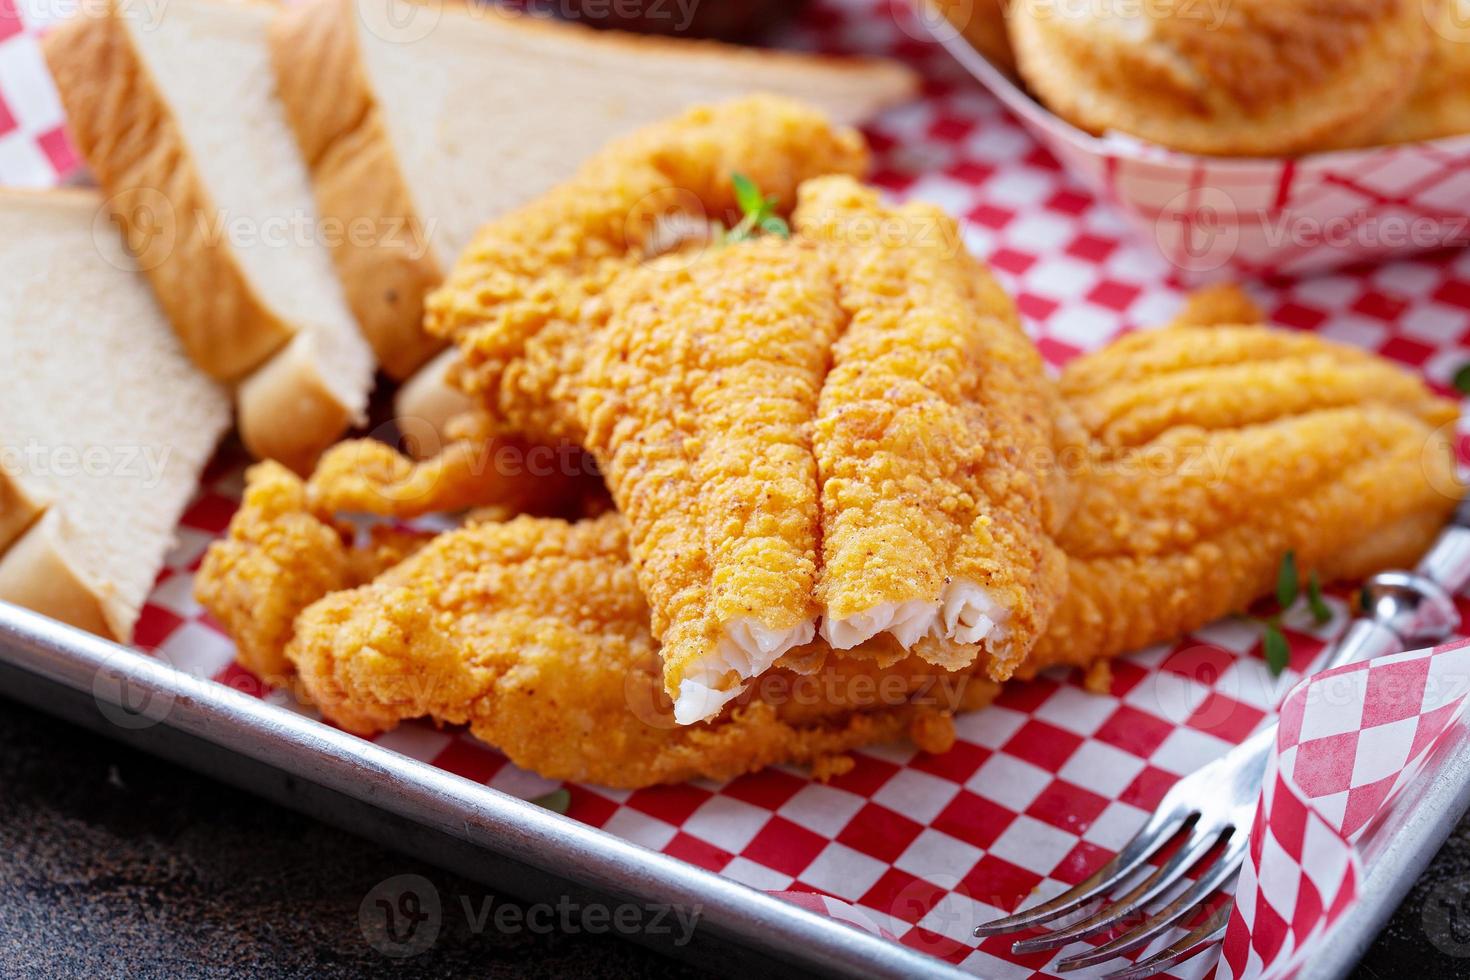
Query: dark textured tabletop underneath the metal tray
[[114, 863]]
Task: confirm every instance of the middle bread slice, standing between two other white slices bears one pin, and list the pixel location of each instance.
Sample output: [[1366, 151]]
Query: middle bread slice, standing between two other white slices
[[174, 109]]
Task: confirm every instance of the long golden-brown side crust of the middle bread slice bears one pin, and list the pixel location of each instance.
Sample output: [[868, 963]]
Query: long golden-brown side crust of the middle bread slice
[[124, 129]]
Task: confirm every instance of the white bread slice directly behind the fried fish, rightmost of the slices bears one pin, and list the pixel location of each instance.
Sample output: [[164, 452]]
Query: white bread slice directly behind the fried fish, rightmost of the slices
[[421, 123]]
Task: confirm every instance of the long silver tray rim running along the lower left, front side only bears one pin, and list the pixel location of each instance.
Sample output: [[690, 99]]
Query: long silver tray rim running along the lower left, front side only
[[442, 801]]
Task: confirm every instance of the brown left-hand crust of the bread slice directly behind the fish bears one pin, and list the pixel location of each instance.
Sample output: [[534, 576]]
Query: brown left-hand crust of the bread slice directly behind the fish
[[358, 181]]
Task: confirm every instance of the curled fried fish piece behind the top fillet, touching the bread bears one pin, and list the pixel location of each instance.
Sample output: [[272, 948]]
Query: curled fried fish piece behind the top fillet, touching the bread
[[521, 302]]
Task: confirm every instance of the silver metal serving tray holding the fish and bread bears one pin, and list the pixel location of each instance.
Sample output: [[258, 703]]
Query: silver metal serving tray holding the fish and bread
[[534, 853]]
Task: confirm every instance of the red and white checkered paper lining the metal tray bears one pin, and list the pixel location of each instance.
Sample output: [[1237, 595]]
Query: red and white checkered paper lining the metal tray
[[1050, 781]]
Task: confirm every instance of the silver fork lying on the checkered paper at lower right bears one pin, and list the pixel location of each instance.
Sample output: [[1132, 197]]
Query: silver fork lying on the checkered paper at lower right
[[1212, 809]]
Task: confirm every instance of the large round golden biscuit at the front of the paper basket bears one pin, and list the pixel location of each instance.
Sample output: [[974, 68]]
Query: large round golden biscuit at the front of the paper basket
[[1240, 79]]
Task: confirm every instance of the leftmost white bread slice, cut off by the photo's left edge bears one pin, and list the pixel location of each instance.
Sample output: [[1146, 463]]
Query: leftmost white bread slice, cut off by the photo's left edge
[[105, 425]]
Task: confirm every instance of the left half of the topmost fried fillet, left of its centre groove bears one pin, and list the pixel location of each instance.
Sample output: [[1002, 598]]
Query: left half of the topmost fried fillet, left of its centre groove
[[698, 400]]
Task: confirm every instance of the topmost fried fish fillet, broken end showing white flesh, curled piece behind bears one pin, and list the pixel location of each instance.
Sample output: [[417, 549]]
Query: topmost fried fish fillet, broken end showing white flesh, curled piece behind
[[865, 386]]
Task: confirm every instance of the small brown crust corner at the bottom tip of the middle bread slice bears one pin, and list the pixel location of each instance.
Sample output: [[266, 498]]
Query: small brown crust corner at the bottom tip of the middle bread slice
[[287, 412]]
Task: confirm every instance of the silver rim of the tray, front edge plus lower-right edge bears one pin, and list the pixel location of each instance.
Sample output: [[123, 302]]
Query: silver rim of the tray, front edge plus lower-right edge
[[590, 857]]
